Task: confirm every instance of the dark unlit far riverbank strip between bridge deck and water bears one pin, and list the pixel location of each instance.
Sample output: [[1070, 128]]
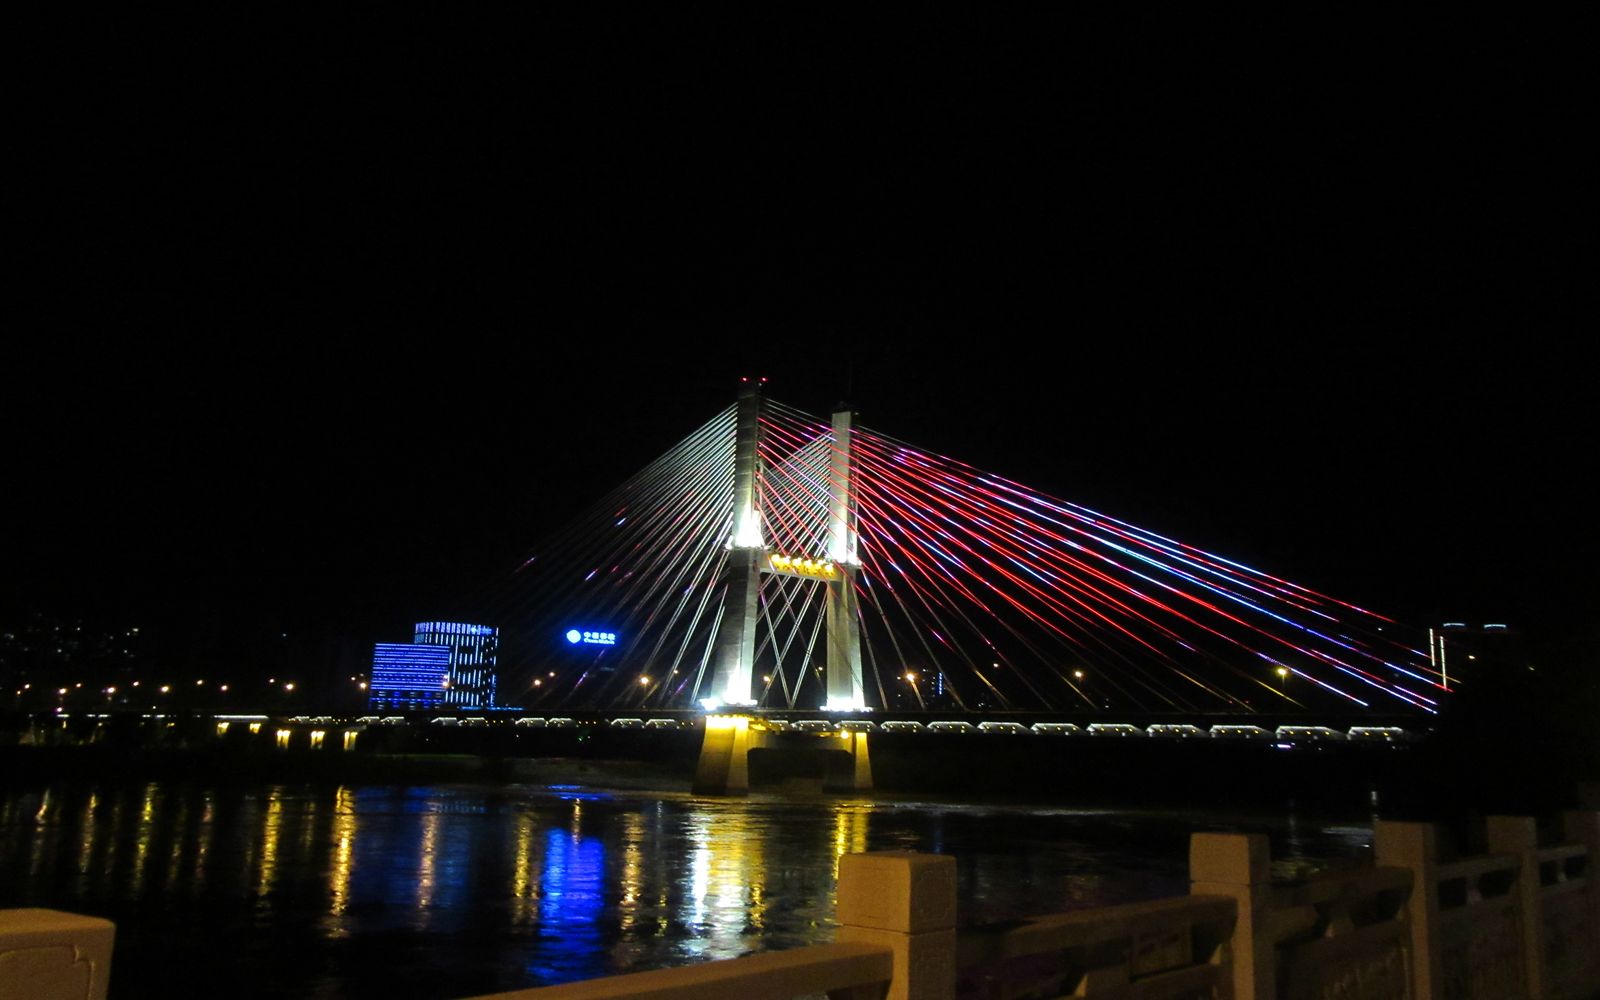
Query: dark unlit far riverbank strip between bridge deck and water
[[1409, 782]]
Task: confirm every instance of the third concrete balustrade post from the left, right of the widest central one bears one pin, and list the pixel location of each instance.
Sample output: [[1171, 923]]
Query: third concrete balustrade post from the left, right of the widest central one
[[1239, 866]]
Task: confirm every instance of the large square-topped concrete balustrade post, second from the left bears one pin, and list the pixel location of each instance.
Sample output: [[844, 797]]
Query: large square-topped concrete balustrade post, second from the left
[[906, 903]]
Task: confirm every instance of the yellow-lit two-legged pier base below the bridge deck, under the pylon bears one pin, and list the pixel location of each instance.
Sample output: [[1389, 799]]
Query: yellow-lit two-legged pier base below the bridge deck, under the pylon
[[724, 767]]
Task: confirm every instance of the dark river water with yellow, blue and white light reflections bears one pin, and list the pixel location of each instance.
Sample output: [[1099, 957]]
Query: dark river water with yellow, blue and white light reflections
[[460, 890]]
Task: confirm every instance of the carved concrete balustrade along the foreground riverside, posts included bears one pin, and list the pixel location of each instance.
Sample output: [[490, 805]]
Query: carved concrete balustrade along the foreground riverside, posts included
[[1518, 922]]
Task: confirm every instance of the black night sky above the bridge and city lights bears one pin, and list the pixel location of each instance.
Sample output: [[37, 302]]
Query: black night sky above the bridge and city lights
[[322, 326]]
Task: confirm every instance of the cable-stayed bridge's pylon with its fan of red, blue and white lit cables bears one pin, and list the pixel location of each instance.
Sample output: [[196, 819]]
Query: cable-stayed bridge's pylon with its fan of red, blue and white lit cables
[[775, 562]]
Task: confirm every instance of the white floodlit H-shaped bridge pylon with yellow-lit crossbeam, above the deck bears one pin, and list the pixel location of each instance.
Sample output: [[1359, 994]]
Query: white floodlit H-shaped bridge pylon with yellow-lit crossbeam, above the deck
[[751, 556]]
